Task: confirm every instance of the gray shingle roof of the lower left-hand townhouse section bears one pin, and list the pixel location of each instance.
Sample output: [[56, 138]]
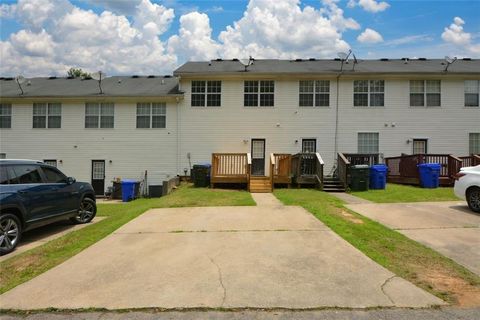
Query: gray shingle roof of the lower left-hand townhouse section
[[158, 86]]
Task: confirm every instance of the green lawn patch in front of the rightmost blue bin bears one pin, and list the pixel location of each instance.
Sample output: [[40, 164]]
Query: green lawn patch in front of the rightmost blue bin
[[404, 193]]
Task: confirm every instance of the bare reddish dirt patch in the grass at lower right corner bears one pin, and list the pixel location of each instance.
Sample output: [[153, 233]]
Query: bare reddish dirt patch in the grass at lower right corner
[[464, 293]]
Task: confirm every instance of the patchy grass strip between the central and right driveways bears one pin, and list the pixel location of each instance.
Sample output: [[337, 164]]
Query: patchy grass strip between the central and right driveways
[[406, 258]]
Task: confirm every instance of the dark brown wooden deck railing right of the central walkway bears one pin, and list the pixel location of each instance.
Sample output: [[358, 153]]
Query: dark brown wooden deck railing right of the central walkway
[[307, 168]]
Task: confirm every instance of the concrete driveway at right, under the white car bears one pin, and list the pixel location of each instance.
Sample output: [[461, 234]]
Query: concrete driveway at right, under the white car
[[447, 227]]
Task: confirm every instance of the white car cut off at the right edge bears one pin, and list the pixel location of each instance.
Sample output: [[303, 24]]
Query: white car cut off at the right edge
[[467, 186]]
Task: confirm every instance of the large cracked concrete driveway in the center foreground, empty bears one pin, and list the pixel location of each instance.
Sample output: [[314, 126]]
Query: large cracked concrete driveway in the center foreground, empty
[[269, 256]]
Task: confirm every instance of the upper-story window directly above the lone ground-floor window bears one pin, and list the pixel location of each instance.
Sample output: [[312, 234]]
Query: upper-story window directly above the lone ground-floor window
[[368, 93]]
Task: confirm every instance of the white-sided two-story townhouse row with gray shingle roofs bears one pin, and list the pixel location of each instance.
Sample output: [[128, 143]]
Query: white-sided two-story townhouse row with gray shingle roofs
[[166, 124]]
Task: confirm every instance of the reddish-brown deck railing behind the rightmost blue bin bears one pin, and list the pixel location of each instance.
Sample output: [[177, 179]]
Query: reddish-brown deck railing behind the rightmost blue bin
[[403, 169]]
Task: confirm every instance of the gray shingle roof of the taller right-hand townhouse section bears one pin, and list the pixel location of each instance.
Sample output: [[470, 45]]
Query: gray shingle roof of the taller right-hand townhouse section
[[309, 66]]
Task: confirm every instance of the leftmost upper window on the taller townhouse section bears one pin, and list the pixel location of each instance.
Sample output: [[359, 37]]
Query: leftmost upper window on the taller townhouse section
[[208, 92]]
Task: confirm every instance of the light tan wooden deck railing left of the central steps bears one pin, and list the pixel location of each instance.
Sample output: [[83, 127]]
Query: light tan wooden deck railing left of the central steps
[[230, 168]]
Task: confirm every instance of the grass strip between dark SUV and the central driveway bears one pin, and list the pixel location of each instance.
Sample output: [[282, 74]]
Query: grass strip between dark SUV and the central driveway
[[34, 262]]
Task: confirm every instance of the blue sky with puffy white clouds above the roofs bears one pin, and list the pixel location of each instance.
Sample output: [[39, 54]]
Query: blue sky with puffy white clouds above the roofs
[[47, 37]]
